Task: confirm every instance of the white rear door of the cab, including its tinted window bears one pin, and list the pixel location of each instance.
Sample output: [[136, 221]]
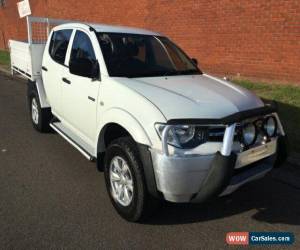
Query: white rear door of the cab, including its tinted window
[[53, 66]]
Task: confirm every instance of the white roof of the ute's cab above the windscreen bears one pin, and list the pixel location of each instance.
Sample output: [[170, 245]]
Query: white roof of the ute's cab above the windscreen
[[108, 28]]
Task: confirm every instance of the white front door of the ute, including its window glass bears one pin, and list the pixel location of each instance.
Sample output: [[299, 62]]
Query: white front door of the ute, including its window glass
[[80, 93]]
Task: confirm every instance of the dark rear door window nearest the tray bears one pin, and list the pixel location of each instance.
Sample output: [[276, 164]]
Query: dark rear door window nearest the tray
[[59, 45]]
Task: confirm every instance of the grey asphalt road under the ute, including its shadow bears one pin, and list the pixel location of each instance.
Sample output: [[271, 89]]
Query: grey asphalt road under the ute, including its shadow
[[51, 197]]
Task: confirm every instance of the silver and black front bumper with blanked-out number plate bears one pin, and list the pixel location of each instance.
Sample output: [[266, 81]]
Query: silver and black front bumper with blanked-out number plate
[[196, 178]]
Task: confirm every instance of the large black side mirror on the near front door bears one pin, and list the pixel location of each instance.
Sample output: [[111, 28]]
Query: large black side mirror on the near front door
[[85, 68]]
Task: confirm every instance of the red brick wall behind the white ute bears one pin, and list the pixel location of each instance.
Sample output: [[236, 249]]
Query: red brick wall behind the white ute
[[253, 38]]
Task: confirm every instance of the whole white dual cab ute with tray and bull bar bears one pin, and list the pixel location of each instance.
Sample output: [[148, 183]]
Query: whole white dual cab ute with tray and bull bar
[[137, 104]]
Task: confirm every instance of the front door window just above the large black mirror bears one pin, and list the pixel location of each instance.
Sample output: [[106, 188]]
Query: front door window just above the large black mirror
[[82, 48]]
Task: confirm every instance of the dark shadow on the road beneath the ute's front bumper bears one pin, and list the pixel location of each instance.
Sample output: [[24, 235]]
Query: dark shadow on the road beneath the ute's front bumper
[[272, 202]]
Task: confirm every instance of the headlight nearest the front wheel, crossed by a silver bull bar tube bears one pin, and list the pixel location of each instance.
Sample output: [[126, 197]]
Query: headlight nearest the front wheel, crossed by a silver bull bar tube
[[184, 136]]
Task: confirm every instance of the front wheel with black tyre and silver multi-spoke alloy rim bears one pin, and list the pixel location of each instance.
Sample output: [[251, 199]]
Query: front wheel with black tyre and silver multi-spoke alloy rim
[[125, 181]]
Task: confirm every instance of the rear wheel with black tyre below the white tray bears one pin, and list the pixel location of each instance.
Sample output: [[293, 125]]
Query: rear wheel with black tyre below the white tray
[[40, 117]]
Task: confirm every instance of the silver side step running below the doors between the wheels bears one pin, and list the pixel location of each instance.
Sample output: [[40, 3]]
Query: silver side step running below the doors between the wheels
[[74, 140]]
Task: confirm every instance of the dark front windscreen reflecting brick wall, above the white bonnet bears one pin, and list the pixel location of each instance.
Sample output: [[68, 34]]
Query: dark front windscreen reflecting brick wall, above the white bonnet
[[133, 55]]
